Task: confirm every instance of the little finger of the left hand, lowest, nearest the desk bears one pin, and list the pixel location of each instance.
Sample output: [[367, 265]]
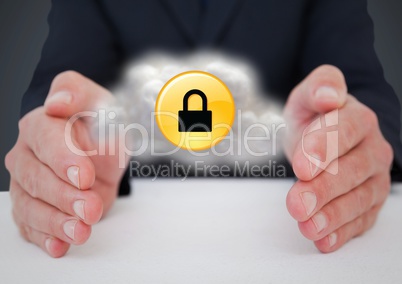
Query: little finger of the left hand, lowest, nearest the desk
[[53, 246]]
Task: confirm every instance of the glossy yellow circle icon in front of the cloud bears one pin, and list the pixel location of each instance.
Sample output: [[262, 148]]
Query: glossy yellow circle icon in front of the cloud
[[195, 110]]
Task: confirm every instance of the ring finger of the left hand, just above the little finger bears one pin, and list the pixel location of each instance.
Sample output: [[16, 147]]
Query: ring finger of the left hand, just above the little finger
[[47, 219]]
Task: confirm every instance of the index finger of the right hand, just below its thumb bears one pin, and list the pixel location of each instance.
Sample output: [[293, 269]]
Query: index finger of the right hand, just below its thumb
[[332, 136]]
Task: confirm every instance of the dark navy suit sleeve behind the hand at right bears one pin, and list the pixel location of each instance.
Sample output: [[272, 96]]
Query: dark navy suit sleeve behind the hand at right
[[341, 33]]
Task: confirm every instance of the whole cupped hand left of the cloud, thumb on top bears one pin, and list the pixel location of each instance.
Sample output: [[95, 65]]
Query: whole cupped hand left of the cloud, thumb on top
[[56, 194]]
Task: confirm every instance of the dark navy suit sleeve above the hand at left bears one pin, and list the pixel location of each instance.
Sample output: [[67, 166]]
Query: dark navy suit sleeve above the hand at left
[[79, 39]]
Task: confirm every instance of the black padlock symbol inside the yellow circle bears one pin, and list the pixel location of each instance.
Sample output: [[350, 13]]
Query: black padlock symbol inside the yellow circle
[[195, 120]]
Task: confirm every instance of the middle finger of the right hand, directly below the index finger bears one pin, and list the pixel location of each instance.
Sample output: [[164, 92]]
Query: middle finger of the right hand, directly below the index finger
[[307, 197]]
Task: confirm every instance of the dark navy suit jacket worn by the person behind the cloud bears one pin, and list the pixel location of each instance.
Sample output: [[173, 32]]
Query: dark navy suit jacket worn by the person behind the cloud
[[284, 39]]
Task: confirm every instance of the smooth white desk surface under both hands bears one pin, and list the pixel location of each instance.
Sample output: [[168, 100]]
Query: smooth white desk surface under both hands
[[206, 231]]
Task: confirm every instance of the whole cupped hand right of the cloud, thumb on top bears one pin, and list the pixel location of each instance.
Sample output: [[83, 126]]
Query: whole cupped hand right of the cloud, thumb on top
[[341, 187]]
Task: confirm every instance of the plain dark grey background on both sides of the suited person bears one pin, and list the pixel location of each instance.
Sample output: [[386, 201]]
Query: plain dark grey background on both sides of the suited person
[[23, 29]]
